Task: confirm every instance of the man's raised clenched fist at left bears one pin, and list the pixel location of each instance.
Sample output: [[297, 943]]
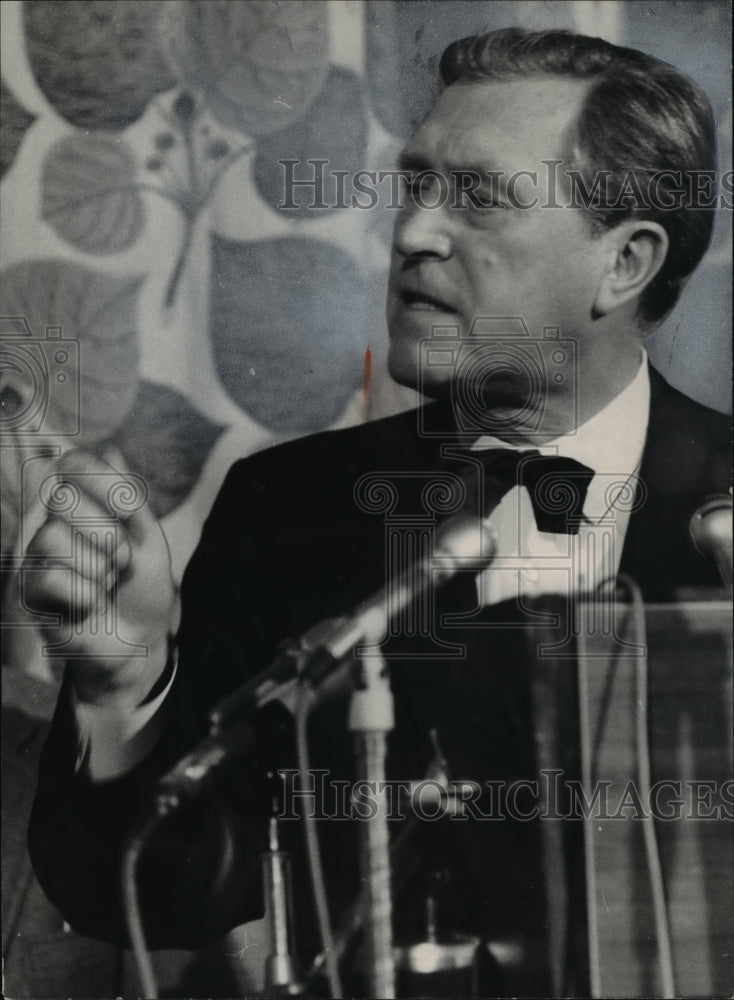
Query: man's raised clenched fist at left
[[100, 565]]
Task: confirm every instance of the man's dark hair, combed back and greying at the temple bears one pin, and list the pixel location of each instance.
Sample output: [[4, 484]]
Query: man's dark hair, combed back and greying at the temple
[[640, 117]]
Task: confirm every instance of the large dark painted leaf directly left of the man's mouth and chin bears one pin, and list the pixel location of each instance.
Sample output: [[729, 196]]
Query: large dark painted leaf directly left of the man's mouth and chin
[[288, 350]]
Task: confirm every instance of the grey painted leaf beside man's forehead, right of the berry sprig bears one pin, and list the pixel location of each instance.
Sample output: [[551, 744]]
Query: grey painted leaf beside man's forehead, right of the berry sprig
[[333, 129]]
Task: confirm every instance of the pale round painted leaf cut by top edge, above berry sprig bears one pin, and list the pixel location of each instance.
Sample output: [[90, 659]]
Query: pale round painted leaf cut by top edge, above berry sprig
[[259, 65]]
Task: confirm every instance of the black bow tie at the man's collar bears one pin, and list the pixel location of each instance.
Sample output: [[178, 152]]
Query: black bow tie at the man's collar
[[557, 486]]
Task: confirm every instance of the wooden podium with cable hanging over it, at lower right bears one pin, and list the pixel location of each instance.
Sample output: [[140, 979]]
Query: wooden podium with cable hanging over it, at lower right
[[687, 658]]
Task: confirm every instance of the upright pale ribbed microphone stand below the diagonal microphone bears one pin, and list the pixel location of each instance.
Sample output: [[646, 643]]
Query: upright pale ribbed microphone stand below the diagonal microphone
[[371, 717]]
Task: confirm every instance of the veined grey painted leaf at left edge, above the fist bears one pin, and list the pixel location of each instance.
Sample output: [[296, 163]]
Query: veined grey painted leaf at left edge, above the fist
[[70, 350]]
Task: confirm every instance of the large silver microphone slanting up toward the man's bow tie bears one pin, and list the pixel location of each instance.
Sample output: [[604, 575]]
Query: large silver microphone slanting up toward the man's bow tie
[[462, 542]]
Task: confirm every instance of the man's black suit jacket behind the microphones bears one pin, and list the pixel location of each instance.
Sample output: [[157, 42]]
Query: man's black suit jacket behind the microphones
[[285, 547]]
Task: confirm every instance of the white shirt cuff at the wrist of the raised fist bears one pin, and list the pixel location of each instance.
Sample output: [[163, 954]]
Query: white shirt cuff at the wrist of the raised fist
[[112, 741]]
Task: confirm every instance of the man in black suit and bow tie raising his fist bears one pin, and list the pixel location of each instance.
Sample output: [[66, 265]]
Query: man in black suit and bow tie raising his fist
[[519, 300]]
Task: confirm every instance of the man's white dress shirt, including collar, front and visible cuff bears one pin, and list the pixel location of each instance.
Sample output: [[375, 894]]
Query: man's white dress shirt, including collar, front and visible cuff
[[528, 562]]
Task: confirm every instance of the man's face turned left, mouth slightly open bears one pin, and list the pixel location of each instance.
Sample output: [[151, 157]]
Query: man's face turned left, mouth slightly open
[[451, 265]]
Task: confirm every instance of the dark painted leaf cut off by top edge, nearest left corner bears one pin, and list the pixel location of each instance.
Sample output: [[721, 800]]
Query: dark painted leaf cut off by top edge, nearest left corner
[[97, 61]]
